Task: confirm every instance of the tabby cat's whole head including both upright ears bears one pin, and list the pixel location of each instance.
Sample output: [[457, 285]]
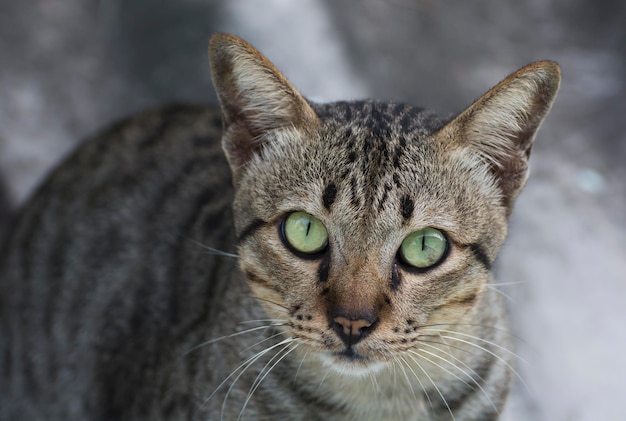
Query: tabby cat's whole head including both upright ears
[[359, 223]]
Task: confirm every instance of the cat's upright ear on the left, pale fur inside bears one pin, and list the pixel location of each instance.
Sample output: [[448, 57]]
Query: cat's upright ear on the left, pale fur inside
[[255, 98]]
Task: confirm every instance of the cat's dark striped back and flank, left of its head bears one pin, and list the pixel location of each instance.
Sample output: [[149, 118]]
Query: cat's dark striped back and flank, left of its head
[[98, 267]]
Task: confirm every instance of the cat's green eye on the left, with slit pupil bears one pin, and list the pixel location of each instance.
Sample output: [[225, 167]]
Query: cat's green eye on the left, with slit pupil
[[304, 233]]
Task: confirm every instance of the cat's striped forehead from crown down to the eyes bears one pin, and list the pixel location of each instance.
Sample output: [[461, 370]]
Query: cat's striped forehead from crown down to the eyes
[[371, 167]]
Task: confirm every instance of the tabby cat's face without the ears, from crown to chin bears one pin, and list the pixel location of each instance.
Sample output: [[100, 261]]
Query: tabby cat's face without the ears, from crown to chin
[[400, 232]]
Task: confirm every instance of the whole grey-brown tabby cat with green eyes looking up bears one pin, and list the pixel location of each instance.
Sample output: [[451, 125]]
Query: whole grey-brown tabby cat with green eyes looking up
[[323, 261]]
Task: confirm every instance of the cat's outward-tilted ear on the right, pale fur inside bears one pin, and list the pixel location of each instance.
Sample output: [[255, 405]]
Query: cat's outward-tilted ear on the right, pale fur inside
[[500, 126]]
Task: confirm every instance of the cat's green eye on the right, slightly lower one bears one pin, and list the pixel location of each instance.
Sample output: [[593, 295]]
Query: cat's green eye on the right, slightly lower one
[[423, 248]]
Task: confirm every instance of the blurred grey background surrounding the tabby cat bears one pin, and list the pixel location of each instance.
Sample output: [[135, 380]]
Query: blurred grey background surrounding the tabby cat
[[70, 67]]
